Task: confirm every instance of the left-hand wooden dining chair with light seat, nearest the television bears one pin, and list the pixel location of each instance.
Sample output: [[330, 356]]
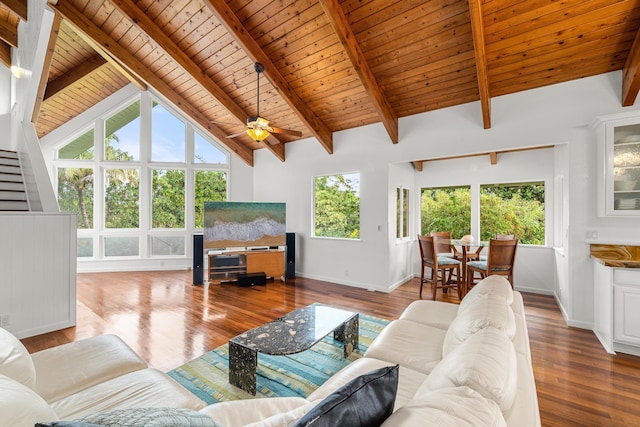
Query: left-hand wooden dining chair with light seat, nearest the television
[[439, 266]]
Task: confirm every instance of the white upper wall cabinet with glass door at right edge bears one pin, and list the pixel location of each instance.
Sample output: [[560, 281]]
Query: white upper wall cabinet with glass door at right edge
[[619, 165]]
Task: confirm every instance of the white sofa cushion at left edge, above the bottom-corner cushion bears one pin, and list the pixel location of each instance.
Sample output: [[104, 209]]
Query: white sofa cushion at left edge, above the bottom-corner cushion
[[15, 361]]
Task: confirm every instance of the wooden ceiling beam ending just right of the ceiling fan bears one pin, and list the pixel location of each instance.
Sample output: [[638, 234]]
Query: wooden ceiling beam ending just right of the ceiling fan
[[233, 25]]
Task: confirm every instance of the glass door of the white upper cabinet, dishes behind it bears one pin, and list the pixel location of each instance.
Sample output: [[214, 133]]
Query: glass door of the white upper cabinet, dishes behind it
[[625, 157]]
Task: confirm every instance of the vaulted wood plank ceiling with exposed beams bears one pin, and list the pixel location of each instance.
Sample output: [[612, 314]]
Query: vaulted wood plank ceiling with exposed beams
[[329, 65]]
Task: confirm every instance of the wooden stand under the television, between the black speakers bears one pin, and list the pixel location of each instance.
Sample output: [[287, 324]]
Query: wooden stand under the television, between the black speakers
[[225, 266]]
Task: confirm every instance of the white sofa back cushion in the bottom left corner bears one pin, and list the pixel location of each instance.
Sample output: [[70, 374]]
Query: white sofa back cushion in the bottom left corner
[[21, 406]]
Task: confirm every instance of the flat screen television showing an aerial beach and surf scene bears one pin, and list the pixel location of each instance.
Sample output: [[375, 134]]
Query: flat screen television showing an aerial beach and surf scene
[[244, 224]]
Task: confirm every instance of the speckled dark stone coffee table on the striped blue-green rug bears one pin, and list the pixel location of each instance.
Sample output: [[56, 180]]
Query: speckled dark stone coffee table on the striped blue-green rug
[[289, 334]]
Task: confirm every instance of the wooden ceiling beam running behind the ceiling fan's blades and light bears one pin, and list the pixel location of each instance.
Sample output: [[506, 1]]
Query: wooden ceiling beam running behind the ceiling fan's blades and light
[[139, 19]]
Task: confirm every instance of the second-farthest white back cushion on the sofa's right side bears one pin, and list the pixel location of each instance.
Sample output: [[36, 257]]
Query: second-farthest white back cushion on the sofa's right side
[[484, 312]]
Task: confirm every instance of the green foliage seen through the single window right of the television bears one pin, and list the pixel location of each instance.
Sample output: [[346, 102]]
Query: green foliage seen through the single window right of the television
[[337, 206]]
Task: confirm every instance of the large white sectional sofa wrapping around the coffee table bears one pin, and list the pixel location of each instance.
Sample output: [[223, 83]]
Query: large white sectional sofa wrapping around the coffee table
[[466, 364]]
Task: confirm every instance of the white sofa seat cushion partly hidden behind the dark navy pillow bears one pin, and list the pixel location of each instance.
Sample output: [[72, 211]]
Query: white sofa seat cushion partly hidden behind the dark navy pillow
[[409, 381]]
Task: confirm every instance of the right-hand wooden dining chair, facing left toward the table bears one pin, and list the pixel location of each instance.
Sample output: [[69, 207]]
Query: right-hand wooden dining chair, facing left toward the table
[[501, 259]]
